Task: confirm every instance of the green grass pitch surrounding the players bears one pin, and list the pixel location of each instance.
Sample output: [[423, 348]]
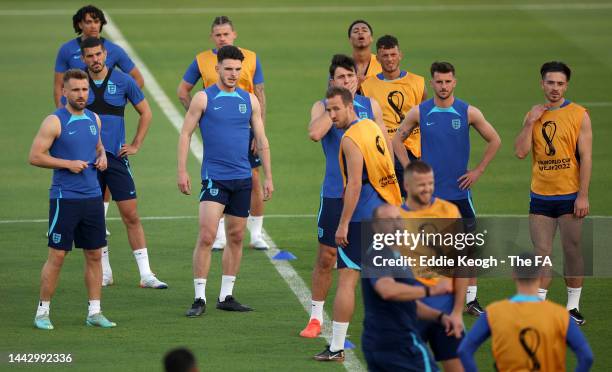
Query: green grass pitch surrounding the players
[[497, 53]]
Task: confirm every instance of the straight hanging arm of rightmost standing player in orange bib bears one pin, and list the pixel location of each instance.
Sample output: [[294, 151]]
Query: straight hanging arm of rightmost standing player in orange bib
[[585, 150]]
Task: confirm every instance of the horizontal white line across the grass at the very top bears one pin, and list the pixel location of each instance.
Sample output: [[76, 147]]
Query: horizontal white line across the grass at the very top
[[322, 9]]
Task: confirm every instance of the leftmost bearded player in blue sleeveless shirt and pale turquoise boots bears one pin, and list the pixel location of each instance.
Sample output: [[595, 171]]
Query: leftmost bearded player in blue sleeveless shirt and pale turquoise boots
[[69, 143]]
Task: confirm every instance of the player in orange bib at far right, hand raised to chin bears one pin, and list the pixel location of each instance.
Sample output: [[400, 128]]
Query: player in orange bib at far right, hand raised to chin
[[558, 134]]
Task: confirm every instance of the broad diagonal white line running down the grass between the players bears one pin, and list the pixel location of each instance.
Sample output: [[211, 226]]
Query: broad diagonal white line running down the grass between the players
[[287, 272]]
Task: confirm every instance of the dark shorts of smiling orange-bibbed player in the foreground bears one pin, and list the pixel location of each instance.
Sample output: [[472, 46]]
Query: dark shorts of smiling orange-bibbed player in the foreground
[[443, 347]]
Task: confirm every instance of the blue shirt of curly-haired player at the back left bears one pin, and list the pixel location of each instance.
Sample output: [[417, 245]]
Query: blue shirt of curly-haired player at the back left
[[69, 56]]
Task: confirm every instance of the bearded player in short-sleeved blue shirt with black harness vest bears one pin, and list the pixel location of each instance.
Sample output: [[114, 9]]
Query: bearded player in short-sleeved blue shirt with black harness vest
[[110, 92]]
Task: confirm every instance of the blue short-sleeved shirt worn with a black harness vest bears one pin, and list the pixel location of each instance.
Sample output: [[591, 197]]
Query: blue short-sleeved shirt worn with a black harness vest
[[119, 89]]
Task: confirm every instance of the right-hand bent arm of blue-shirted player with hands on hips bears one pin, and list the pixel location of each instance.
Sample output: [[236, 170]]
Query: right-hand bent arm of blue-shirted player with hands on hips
[[489, 134]]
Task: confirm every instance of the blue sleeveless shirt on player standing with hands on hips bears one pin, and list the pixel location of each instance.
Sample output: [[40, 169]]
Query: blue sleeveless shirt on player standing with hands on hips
[[445, 145]]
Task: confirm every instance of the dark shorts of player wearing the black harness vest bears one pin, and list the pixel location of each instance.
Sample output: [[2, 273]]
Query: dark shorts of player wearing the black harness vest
[[118, 178]]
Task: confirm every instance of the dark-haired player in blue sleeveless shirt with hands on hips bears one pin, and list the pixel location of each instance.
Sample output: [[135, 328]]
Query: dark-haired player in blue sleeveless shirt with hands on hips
[[444, 123]]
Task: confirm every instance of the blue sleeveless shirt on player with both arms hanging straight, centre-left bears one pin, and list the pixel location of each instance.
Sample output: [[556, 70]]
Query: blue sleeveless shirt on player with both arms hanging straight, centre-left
[[225, 127]]
